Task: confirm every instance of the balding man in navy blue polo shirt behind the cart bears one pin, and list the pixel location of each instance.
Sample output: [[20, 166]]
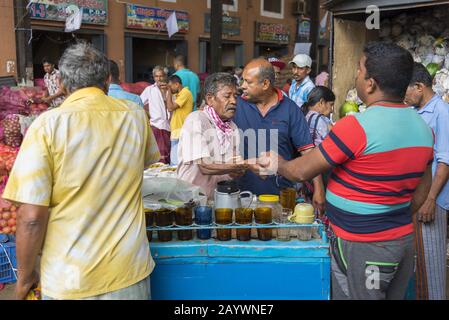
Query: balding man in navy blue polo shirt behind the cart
[[271, 121]]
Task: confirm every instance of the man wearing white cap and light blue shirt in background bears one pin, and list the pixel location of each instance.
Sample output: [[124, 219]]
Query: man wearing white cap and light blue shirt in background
[[301, 85]]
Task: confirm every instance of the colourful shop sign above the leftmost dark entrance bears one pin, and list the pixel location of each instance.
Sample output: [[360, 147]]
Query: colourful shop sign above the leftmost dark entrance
[[94, 11]]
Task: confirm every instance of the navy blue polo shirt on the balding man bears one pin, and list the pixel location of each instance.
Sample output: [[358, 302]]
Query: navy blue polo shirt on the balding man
[[283, 130]]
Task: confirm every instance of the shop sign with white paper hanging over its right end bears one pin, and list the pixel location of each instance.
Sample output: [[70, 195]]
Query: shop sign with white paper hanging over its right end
[[139, 17]]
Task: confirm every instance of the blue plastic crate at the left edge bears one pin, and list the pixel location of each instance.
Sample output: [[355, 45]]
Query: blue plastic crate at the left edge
[[8, 262]]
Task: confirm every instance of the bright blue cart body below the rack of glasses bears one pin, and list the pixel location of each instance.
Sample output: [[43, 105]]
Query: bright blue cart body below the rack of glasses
[[253, 270]]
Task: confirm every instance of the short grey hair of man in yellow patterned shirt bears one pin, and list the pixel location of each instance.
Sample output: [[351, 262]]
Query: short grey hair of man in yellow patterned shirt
[[83, 66]]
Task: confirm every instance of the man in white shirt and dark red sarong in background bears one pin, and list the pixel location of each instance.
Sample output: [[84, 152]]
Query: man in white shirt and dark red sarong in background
[[153, 98]]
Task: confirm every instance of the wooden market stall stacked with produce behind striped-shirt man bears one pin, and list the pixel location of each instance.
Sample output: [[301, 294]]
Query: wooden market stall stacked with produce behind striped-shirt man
[[422, 27]]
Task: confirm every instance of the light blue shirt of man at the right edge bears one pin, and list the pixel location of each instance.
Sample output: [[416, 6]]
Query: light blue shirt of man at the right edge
[[436, 114]]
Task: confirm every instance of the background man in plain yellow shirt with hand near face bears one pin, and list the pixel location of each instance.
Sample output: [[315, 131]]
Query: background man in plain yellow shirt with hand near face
[[181, 108]]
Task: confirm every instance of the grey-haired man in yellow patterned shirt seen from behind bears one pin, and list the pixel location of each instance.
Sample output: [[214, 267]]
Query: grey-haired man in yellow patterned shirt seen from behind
[[78, 178]]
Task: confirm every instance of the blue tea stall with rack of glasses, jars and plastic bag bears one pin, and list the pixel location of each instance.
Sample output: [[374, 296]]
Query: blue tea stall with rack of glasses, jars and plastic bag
[[234, 247]]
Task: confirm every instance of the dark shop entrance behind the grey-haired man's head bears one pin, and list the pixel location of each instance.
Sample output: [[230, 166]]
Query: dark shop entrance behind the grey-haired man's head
[[51, 44]]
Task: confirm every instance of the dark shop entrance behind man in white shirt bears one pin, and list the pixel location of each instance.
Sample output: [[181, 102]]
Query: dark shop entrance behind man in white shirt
[[143, 53]]
